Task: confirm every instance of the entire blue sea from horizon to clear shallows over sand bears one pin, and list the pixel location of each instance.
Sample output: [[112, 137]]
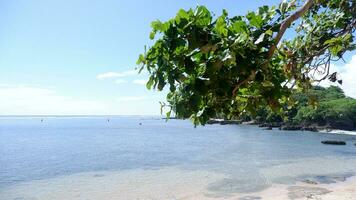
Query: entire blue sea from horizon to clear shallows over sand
[[93, 156]]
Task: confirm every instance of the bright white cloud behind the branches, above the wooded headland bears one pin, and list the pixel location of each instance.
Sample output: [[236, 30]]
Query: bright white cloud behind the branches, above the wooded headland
[[347, 73]]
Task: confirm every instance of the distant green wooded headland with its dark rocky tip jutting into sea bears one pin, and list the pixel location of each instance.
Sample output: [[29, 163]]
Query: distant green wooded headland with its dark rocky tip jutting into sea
[[317, 109]]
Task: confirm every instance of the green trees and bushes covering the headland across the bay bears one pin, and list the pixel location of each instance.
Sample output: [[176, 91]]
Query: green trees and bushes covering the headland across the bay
[[334, 109]]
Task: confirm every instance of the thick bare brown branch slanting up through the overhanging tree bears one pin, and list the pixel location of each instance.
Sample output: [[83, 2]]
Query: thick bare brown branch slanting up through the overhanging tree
[[287, 22]]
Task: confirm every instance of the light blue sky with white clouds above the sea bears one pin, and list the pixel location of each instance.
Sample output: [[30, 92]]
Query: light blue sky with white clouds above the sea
[[78, 57]]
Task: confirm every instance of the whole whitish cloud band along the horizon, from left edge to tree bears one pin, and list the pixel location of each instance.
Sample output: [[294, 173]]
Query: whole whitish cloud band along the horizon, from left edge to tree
[[38, 100]]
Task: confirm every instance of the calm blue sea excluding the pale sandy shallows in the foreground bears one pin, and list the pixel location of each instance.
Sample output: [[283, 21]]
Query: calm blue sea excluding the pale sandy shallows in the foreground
[[251, 158]]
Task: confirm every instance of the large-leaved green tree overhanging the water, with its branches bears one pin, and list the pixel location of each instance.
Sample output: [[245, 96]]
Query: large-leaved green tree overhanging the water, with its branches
[[233, 65]]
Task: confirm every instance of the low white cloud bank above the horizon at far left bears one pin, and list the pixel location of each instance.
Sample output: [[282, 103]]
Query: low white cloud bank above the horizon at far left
[[18, 100]]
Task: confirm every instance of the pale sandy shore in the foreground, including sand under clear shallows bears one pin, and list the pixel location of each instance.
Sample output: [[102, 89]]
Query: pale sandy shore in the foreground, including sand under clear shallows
[[163, 184]]
